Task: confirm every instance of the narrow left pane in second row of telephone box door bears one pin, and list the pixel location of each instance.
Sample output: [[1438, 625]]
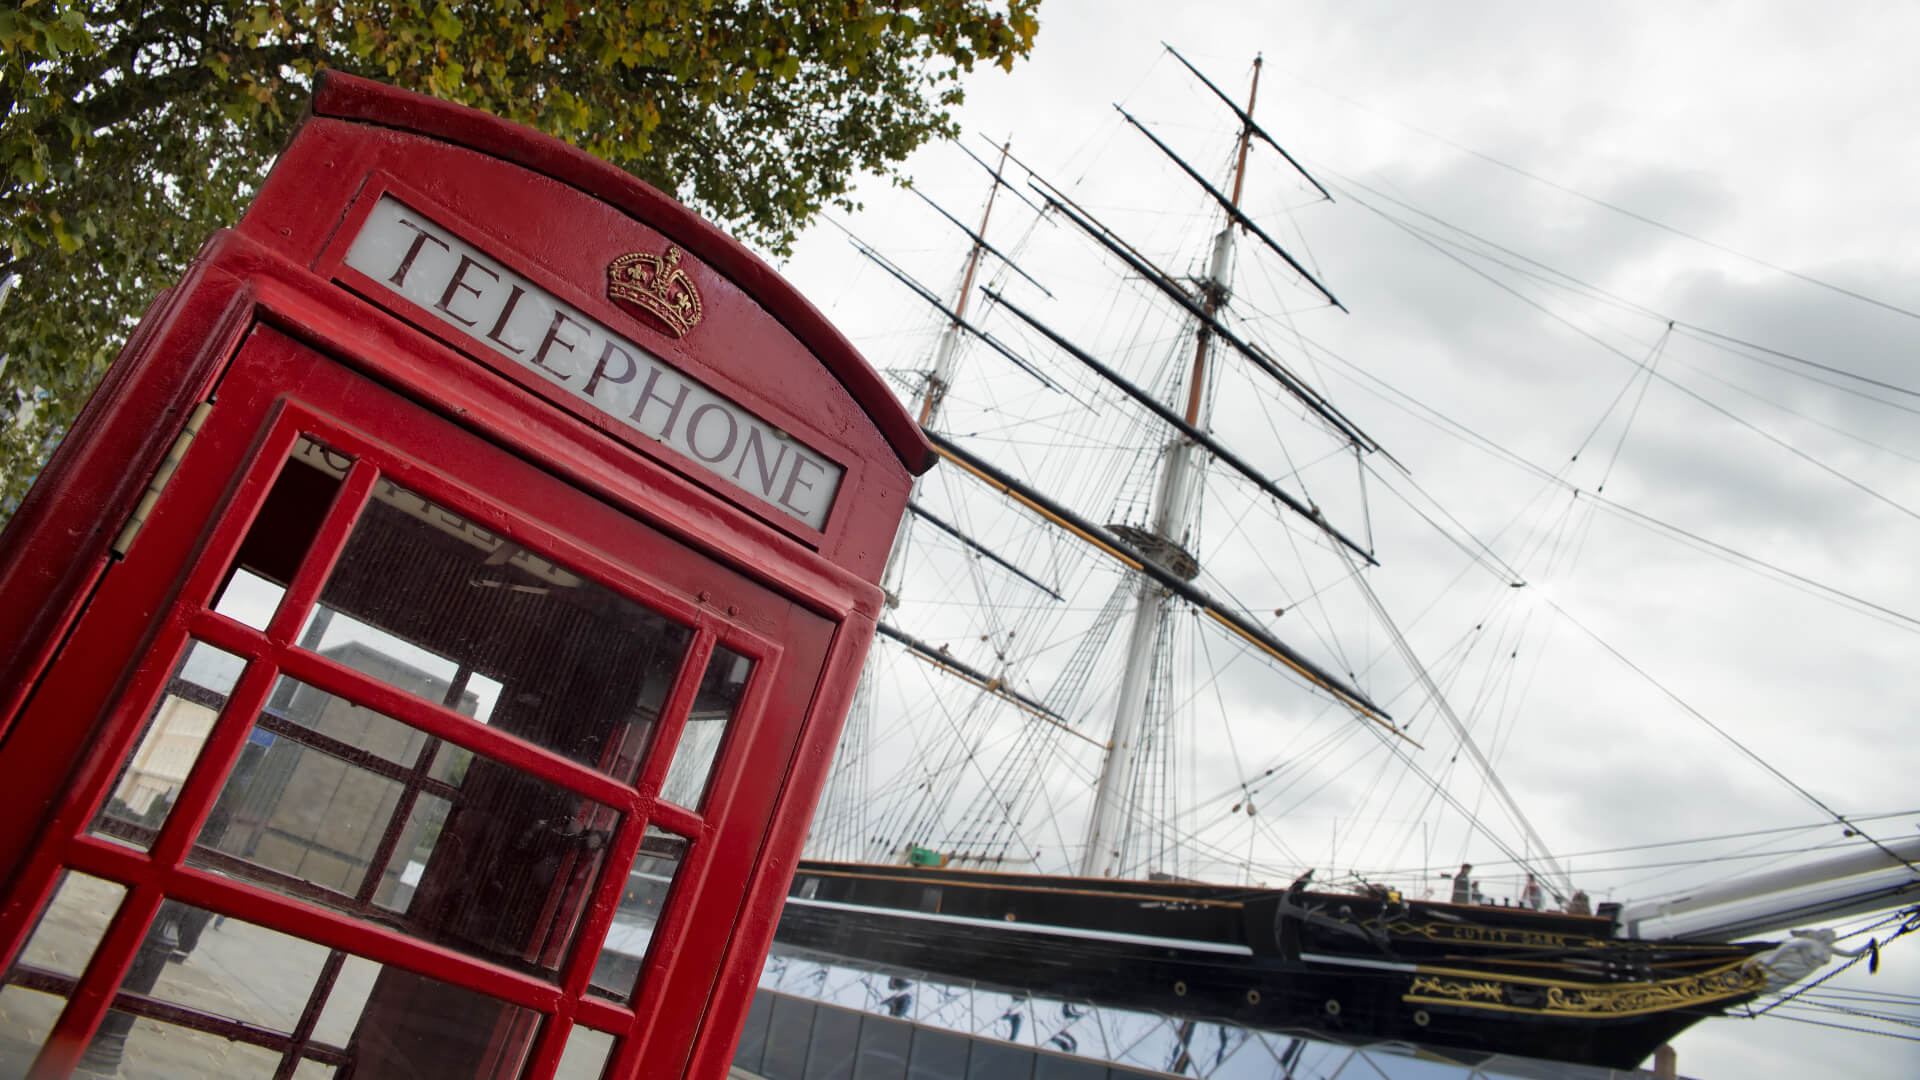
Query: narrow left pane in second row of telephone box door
[[170, 745]]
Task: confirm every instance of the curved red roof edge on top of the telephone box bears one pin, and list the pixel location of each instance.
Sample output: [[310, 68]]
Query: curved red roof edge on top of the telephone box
[[366, 101]]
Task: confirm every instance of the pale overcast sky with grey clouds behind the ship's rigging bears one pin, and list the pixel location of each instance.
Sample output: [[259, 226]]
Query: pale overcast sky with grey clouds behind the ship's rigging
[[1781, 137]]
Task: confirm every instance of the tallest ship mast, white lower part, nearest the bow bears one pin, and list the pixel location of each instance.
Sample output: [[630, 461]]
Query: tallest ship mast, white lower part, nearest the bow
[[1105, 852]]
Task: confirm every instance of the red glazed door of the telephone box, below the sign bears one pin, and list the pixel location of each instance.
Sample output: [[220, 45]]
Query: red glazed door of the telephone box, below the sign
[[427, 764]]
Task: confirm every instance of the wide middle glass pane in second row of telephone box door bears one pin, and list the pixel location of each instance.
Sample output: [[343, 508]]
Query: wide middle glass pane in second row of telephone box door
[[352, 810]]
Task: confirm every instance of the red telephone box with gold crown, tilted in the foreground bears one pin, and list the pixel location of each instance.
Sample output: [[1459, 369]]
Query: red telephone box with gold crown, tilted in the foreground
[[425, 652]]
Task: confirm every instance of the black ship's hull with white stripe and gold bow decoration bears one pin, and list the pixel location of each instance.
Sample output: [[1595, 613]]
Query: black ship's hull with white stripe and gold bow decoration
[[1460, 979]]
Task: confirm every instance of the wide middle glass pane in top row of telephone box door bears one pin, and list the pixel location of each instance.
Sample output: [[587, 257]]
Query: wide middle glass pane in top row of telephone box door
[[575, 668]]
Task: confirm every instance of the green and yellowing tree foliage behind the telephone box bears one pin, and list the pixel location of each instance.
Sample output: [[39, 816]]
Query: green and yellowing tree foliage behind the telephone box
[[130, 130]]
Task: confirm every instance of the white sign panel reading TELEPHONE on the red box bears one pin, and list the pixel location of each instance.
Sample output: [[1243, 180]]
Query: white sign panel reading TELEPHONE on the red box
[[525, 324]]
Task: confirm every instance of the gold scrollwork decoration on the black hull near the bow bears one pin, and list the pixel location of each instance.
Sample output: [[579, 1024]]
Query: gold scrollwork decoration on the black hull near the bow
[[1589, 1000]]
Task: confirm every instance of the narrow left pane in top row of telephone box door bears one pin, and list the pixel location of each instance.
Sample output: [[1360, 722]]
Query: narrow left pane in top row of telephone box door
[[281, 533]]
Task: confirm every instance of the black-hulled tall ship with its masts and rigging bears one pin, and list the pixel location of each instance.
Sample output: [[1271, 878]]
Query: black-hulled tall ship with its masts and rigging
[[1141, 620]]
